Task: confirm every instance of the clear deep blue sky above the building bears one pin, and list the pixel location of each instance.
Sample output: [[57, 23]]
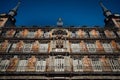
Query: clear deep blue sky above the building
[[73, 12]]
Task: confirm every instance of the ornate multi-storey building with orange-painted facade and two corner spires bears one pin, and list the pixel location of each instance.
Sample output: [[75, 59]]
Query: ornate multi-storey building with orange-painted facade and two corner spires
[[59, 53]]
